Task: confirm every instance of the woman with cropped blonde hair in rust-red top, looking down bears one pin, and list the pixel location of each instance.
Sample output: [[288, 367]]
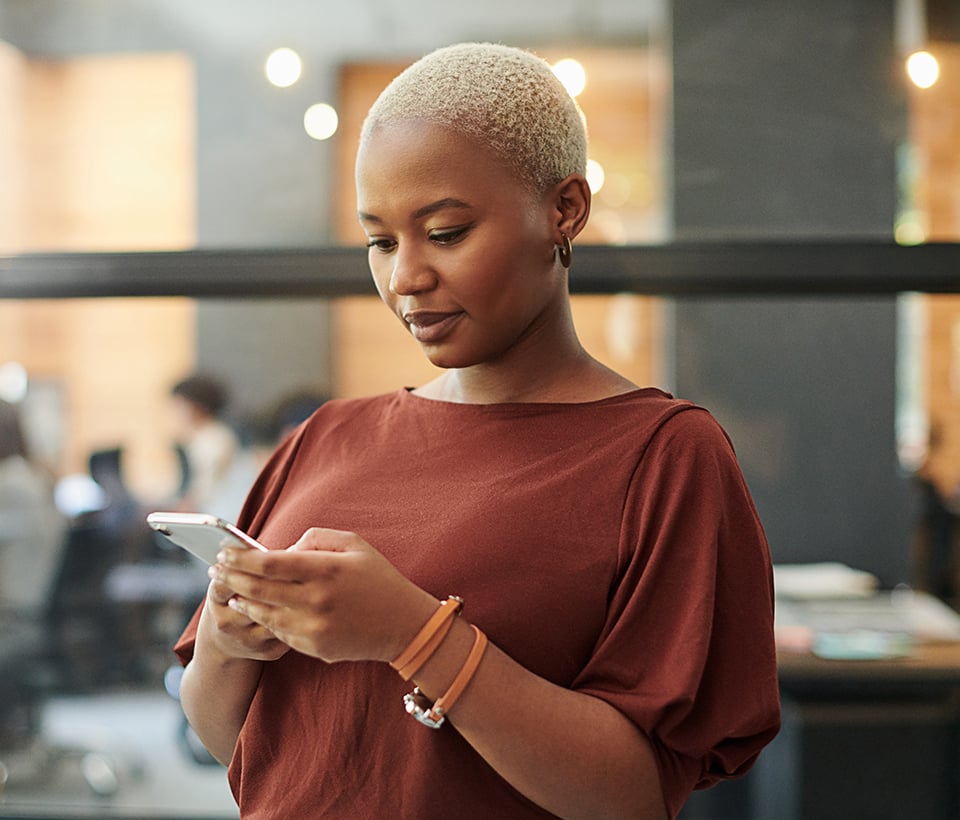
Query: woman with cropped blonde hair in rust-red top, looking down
[[600, 534]]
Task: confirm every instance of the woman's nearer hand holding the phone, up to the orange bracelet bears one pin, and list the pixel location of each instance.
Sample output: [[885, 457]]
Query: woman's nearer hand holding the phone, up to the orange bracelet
[[331, 595]]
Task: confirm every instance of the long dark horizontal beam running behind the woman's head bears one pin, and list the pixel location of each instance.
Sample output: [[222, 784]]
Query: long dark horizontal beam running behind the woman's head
[[708, 269]]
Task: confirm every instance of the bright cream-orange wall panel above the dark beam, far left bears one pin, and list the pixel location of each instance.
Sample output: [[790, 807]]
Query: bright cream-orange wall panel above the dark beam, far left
[[111, 154]]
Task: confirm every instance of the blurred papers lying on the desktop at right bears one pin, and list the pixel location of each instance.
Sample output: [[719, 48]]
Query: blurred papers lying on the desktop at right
[[836, 612]]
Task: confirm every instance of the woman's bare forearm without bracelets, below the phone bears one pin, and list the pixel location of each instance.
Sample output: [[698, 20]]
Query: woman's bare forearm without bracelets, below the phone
[[215, 693]]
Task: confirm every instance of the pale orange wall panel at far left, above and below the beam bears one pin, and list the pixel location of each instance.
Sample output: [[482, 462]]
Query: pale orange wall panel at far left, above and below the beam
[[100, 156]]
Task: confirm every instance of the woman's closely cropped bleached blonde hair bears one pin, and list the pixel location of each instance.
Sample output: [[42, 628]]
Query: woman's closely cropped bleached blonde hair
[[503, 97]]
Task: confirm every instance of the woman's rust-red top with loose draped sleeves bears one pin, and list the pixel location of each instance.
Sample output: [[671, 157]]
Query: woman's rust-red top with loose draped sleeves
[[610, 547]]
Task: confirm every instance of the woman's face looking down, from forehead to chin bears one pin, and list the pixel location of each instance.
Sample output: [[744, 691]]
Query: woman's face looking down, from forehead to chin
[[460, 251]]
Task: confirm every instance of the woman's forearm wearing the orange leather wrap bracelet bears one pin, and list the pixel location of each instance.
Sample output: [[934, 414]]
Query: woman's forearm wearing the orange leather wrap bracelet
[[572, 754]]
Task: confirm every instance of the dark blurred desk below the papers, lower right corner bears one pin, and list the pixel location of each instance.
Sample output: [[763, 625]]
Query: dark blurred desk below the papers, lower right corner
[[871, 739]]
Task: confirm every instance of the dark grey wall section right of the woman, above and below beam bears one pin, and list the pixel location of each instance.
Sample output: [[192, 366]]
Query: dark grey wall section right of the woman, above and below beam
[[787, 121]]
